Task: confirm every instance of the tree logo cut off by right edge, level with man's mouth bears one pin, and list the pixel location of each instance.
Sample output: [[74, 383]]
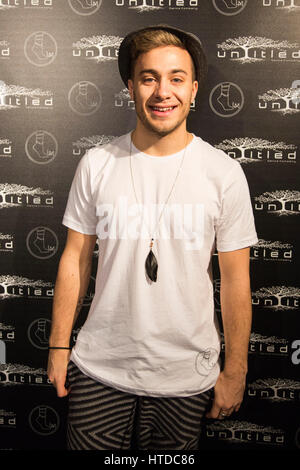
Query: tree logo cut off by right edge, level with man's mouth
[[281, 100]]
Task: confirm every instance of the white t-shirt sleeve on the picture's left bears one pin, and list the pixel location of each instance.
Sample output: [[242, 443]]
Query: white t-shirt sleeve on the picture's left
[[80, 212]]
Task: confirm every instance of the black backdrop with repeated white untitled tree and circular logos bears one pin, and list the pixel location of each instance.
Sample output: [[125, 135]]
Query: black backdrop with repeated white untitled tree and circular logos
[[60, 94]]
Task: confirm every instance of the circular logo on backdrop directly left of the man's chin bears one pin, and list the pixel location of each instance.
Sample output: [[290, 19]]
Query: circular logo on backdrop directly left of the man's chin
[[84, 98]]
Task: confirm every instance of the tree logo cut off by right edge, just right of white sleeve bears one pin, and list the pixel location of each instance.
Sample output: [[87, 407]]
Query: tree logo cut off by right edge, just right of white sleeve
[[282, 202]]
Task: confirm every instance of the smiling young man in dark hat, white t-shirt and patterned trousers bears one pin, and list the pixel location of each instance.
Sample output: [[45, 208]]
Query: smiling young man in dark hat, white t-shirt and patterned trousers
[[159, 200]]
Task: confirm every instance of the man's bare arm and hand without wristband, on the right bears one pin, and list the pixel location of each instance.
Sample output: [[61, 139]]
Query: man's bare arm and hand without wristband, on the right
[[236, 312]]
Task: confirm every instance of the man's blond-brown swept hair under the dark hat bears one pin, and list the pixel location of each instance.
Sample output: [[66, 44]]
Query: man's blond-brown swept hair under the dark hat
[[145, 41]]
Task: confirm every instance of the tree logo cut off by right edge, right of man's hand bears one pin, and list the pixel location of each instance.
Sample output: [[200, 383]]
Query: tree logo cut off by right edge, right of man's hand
[[274, 389]]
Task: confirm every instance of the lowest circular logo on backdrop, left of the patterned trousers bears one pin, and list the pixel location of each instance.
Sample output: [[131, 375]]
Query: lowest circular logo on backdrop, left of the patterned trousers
[[44, 420]]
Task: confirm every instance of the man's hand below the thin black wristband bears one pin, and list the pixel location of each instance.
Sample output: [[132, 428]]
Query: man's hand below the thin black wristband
[[57, 370]]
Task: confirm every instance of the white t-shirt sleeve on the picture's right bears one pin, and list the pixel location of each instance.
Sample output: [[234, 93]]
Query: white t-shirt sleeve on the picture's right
[[235, 228]]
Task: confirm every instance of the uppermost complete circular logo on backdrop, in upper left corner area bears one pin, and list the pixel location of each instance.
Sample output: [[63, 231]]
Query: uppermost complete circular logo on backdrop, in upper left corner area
[[40, 48]]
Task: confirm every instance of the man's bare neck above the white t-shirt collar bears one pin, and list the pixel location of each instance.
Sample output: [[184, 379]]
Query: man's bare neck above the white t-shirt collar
[[155, 145]]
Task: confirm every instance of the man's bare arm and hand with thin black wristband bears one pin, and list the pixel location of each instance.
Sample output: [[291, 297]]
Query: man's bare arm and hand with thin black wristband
[[70, 289]]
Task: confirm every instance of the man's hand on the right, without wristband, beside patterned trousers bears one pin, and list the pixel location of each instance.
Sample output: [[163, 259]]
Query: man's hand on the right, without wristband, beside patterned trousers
[[229, 392]]
